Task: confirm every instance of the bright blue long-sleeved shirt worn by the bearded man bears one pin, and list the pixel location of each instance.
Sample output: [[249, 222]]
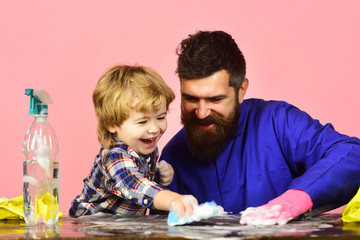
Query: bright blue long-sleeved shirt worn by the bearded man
[[277, 147]]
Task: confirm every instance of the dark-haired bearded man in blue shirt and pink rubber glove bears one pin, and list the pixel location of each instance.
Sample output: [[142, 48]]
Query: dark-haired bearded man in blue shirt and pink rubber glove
[[245, 153]]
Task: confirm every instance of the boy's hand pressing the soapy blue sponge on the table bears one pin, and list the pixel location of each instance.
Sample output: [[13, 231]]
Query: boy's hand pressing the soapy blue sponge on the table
[[184, 206]]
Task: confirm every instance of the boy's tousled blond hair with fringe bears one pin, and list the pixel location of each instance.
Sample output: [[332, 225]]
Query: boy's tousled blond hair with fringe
[[125, 88]]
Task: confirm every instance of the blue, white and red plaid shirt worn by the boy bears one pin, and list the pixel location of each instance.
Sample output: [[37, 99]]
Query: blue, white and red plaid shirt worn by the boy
[[120, 182]]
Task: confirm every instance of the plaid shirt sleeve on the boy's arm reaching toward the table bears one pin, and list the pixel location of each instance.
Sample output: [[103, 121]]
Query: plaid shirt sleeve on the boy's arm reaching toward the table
[[125, 179]]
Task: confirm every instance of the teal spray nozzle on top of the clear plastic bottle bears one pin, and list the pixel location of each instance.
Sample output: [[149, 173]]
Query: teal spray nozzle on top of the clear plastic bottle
[[39, 99]]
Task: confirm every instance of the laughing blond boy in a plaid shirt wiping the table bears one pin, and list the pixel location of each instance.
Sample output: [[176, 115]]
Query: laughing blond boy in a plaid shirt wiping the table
[[131, 104]]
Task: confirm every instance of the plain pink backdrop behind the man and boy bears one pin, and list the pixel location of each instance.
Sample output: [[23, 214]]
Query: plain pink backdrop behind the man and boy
[[303, 51]]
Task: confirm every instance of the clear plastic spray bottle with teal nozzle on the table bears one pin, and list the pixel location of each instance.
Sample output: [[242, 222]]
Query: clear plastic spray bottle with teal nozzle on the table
[[41, 169]]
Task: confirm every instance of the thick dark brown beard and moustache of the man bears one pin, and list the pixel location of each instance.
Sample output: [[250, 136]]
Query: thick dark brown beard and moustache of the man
[[207, 144]]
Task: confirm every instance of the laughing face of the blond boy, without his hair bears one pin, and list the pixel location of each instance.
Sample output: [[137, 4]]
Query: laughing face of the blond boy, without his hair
[[142, 132]]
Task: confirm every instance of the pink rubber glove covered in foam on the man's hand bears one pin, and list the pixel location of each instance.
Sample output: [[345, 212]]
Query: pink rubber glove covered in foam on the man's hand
[[280, 210]]
